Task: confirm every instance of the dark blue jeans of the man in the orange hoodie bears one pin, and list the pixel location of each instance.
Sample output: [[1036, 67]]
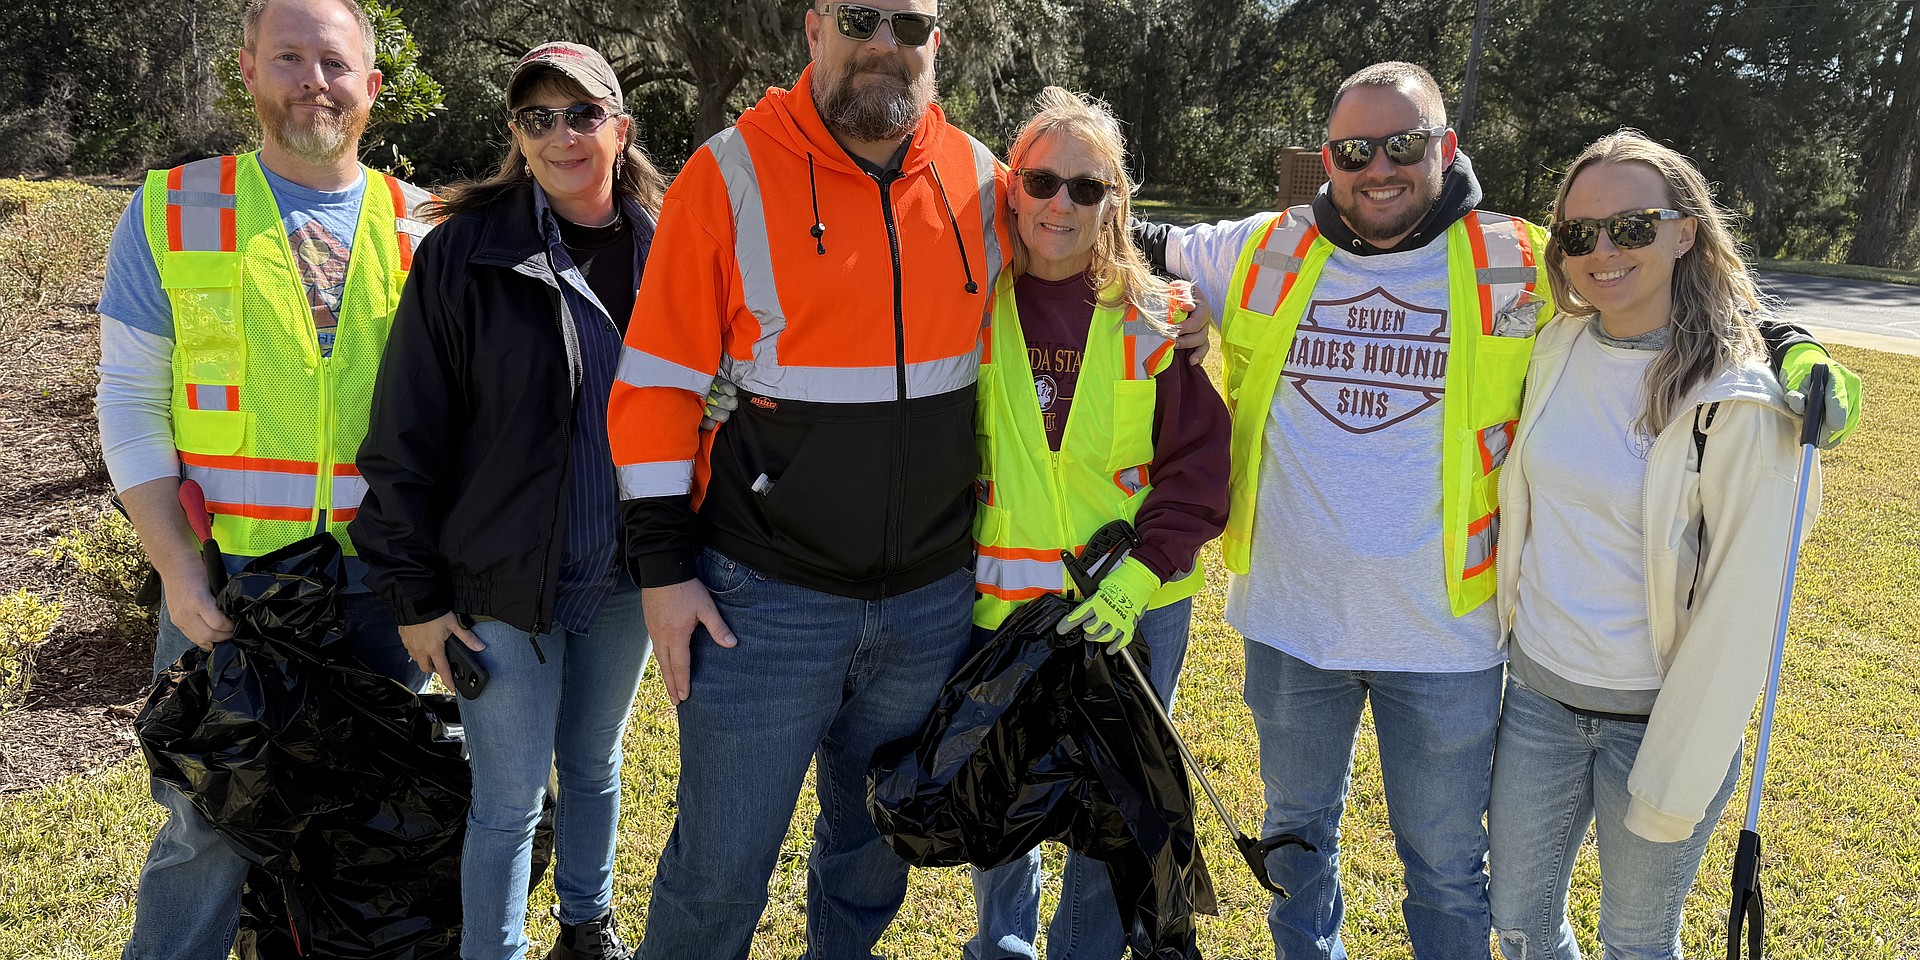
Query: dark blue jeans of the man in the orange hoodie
[[813, 679]]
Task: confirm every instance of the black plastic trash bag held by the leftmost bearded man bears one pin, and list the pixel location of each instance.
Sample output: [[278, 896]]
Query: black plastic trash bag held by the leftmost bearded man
[[345, 790]]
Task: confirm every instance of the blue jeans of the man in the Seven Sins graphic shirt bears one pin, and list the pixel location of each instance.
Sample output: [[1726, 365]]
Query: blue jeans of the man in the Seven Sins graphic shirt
[[1437, 752]]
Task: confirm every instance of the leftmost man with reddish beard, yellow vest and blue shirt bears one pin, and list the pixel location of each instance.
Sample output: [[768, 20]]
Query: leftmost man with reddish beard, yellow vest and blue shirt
[[245, 312]]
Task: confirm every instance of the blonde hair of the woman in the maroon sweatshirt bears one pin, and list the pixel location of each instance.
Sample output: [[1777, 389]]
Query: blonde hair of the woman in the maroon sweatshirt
[[1116, 262]]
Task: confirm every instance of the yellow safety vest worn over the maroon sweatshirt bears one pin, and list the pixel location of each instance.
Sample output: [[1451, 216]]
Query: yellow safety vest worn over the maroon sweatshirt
[[1036, 502]]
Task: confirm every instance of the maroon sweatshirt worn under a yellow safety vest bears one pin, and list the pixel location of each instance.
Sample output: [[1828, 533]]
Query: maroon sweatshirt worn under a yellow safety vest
[[1188, 506]]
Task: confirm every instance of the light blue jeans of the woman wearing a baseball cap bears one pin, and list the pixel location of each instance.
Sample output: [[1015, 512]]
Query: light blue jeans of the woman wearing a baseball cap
[[565, 715]]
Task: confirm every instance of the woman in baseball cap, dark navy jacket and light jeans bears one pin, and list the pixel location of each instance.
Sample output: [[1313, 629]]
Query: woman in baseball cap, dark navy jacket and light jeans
[[491, 517]]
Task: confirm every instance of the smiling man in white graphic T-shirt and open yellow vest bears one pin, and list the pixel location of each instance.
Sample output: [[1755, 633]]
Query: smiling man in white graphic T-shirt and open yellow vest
[[1376, 347]]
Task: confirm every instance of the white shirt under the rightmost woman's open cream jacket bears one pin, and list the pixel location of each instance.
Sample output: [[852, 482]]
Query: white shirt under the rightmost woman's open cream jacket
[[1583, 600]]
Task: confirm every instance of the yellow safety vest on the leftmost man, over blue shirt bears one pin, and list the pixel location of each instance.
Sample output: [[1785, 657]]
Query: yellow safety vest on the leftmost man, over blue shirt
[[262, 421]]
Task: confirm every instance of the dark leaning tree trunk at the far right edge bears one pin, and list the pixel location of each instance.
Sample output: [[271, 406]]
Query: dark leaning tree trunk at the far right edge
[[1890, 199]]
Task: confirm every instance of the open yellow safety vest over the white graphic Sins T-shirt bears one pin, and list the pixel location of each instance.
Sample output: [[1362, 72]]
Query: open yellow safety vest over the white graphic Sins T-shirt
[[1497, 279]]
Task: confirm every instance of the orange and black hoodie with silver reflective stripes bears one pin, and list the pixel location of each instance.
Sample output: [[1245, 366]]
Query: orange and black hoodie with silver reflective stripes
[[848, 306]]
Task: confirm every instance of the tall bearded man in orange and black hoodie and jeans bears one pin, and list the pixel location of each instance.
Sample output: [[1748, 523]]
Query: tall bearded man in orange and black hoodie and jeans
[[805, 565]]
